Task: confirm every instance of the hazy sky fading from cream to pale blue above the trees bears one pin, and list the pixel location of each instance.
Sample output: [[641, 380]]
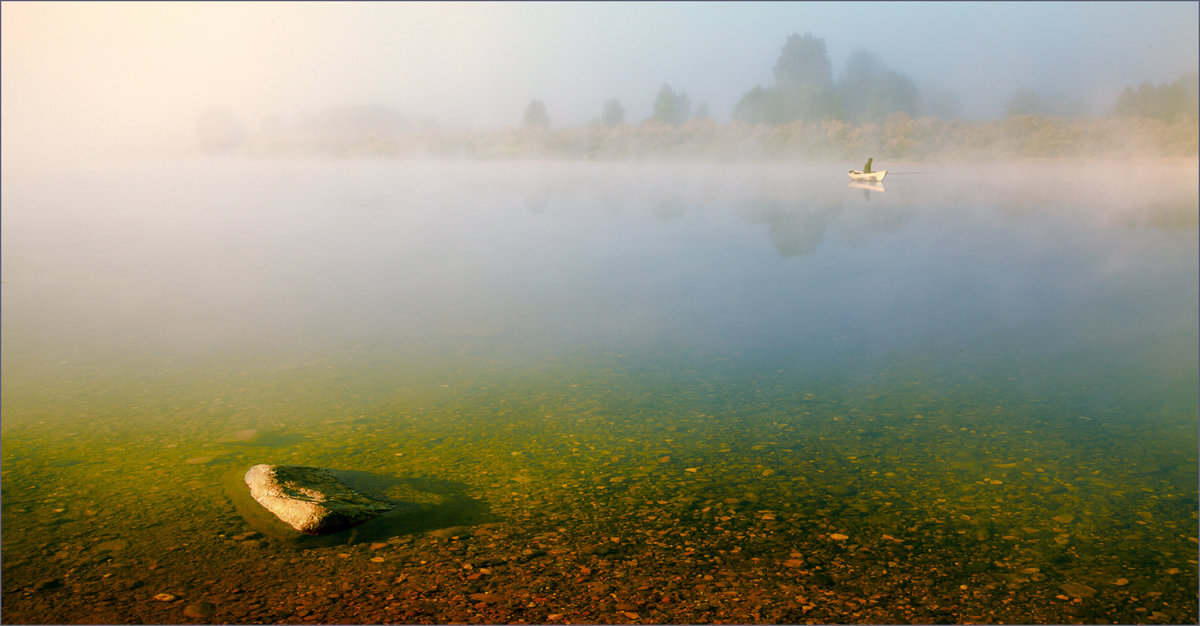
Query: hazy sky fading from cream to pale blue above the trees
[[104, 70]]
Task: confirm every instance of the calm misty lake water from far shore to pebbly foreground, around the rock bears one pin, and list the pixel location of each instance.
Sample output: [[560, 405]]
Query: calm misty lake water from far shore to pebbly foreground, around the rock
[[985, 381]]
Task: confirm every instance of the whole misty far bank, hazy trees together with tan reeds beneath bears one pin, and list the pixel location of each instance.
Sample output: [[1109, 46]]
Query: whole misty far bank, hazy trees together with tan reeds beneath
[[807, 113]]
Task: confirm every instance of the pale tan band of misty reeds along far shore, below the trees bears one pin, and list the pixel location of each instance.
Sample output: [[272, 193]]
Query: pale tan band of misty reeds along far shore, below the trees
[[899, 137]]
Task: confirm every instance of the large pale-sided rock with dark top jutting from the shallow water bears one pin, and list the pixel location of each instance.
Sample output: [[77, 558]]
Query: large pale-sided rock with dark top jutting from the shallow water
[[310, 499]]
